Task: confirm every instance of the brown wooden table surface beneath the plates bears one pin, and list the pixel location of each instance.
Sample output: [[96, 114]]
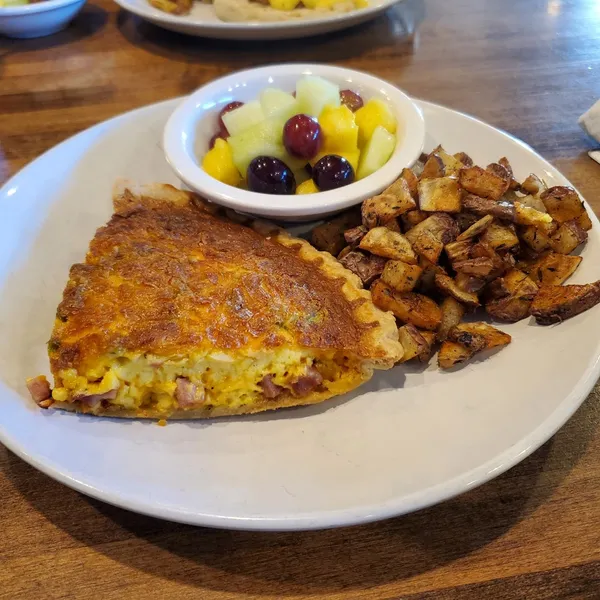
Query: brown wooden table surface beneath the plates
[[530, 67]]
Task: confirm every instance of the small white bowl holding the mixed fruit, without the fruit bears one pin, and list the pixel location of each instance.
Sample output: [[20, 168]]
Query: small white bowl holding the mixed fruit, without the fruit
[[190, 127]]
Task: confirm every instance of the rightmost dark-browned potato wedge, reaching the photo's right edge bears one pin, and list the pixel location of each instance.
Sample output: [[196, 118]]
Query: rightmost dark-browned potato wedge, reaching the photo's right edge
[[555, 303]]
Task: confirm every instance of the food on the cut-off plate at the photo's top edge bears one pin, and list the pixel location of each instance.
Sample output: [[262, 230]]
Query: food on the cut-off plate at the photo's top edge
[[264, 10]]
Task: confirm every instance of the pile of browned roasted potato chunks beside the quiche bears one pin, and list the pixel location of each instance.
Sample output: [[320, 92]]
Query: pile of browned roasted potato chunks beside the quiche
[[449, 238]]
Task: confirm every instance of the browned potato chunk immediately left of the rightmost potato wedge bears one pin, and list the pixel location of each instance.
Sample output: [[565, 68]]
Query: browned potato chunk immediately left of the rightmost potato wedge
[[512, 296]]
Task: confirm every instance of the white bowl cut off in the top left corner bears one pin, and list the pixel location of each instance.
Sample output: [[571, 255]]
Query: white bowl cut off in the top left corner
[[39, 19]]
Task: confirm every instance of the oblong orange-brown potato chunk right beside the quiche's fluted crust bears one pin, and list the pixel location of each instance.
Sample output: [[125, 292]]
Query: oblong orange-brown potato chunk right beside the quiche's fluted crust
[[408, 307]]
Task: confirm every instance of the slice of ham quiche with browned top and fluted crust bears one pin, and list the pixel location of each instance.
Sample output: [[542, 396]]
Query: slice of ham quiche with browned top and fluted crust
[[181, 312]]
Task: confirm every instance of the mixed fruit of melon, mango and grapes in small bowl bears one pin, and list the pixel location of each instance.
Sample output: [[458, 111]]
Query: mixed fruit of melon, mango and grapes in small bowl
[[315, 139]]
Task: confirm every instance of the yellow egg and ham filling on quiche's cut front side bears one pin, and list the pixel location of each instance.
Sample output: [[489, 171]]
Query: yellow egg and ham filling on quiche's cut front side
[[143, 381]]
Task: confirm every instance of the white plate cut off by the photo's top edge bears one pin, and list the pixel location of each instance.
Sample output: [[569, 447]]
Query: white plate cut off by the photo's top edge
[[203, 22]]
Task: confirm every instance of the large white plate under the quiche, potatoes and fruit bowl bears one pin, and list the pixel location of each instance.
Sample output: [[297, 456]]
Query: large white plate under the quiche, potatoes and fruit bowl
[[408, 439]]
